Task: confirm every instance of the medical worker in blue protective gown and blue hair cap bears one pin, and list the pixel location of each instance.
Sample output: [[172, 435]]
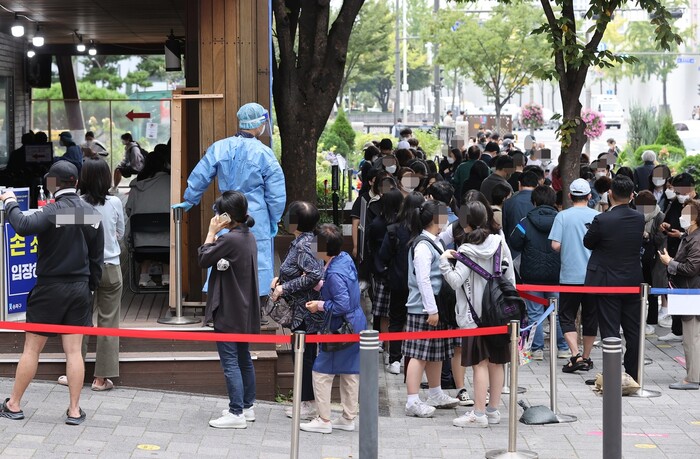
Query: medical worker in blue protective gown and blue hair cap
[[243, 163]]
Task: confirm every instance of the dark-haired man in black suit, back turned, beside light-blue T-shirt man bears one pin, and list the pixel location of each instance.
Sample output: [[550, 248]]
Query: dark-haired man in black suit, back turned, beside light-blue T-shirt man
[[615, 239]]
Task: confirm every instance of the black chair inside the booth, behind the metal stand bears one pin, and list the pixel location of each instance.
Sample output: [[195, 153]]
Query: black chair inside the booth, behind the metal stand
[[140, 227]]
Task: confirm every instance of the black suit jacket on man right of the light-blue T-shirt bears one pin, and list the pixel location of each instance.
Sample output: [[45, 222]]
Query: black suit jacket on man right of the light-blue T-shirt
[[615, 238]]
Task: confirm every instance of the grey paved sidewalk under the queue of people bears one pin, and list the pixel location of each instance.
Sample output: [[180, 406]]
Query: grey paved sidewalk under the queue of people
[[120, 421]]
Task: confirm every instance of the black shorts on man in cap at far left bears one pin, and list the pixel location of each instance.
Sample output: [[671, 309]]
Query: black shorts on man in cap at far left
[[59, 304]]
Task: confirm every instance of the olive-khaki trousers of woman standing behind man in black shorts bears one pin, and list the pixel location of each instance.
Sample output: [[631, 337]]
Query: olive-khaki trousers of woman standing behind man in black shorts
[[107, 300]]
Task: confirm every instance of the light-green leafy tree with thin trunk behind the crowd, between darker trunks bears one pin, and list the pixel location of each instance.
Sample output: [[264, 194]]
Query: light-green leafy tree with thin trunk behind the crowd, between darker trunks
[[498, 54]]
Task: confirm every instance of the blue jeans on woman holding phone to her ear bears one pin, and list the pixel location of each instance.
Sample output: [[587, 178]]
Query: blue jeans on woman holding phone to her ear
[[239, 374]]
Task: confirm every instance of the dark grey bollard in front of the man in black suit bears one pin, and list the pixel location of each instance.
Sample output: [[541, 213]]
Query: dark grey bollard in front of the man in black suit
[[612, 398]]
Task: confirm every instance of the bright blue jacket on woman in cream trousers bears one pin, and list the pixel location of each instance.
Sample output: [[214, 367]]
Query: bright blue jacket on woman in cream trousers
[[341, 295]]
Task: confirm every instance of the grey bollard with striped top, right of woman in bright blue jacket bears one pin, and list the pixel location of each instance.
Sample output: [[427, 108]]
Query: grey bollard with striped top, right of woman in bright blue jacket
[[369, 395]]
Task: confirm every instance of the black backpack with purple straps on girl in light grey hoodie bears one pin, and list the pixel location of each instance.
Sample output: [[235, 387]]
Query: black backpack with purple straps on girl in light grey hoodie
[[500, 302]]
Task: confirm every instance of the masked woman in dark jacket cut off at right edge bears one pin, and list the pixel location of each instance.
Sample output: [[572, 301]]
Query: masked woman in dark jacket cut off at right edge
[[684, 270]]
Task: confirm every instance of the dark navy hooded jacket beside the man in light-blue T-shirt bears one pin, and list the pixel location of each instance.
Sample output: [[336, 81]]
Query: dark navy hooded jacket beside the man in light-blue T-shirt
[[539, 263]]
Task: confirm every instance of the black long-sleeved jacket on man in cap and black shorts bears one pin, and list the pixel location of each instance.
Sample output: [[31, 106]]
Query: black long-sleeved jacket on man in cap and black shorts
[[70, 248]]
